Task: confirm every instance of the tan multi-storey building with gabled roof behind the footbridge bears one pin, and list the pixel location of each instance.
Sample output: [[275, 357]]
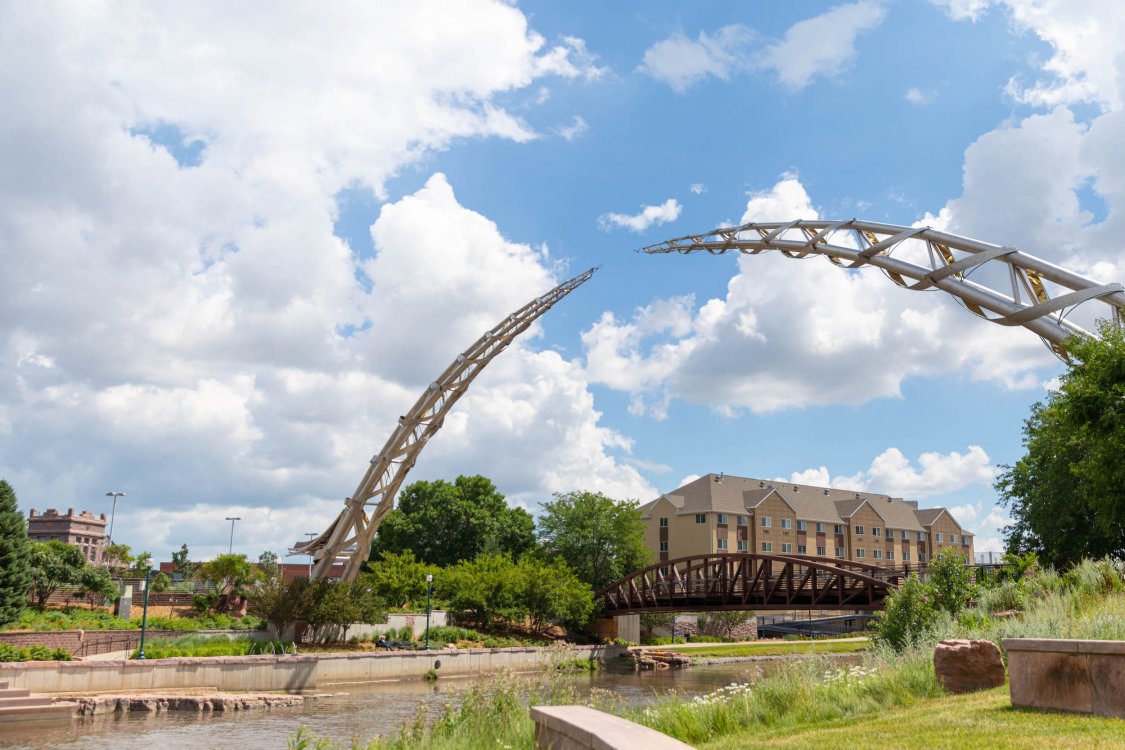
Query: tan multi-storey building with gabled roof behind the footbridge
[[721, 513]]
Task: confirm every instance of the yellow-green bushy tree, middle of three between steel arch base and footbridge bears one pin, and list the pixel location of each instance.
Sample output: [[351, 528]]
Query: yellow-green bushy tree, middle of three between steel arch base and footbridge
[[487, 589]]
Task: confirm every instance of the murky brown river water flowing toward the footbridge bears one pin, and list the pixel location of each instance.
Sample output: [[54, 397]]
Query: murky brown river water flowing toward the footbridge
[[356, 712]]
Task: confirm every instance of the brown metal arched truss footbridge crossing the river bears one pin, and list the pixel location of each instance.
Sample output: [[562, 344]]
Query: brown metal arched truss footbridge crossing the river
[[748, 581]]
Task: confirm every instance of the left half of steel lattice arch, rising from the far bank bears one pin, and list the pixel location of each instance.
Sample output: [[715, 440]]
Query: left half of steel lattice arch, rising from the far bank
[[349, 538]]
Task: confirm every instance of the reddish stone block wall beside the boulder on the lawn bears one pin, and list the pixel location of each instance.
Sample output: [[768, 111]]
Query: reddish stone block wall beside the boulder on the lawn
[[1078, 676]]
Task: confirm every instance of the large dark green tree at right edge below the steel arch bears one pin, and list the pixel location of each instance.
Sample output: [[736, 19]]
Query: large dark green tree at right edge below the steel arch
[[1067, 495]]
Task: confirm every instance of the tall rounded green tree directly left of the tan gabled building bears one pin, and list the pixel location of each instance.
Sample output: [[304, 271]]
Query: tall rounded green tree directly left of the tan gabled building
[[599, 538]]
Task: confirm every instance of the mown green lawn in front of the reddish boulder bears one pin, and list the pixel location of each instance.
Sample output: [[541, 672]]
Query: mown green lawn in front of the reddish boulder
[[978, 721]]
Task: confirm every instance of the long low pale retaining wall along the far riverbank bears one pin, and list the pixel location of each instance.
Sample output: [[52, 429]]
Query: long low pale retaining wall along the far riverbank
[[292, 674]]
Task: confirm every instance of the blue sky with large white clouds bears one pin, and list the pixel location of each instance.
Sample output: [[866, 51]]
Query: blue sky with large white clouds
[[237, 250]]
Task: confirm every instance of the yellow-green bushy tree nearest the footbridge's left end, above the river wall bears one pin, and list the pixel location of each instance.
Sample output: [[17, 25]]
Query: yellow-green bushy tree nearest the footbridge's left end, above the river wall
[[553, 594]]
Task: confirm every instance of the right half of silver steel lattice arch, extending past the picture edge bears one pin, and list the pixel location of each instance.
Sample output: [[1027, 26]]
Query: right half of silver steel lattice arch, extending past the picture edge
[[853, 245]]
